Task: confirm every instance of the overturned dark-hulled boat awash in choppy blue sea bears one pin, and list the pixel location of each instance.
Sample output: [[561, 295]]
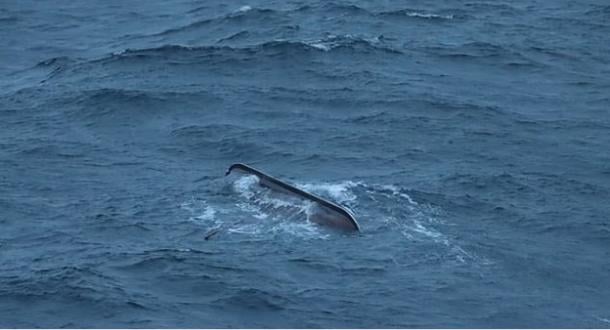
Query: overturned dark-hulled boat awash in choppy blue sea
[[325, 212]]
